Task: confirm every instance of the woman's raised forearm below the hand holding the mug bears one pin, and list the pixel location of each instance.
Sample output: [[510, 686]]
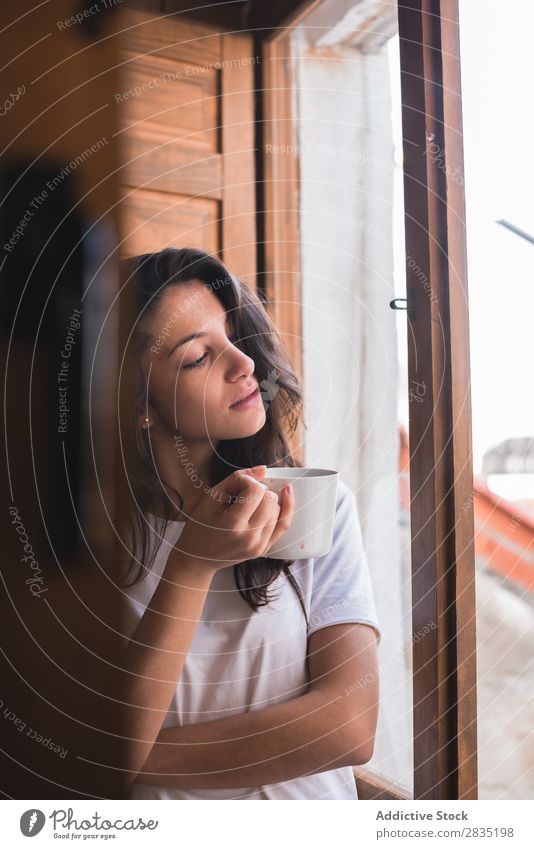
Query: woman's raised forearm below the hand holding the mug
[[153, 660]]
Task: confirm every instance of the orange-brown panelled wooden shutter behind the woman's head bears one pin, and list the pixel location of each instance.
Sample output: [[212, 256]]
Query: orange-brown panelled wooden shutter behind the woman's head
[[187, 139]]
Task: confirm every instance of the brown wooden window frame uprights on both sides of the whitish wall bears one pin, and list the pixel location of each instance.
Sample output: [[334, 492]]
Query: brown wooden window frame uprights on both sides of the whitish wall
[[441, 474]]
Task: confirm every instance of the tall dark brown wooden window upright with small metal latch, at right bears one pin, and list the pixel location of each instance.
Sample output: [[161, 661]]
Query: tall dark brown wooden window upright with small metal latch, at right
[[441, 479]]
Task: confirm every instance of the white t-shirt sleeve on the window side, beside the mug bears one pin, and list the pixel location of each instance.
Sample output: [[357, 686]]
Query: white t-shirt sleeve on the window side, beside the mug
[[341, 585]]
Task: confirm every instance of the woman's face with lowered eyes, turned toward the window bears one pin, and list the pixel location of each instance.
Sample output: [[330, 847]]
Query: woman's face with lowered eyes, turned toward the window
[[195, 384]]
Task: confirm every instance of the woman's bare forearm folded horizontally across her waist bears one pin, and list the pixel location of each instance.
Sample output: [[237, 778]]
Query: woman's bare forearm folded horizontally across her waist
[[303, 736]]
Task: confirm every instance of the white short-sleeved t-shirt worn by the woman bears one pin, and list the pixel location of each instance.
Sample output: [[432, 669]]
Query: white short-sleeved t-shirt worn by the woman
[[241, 660]]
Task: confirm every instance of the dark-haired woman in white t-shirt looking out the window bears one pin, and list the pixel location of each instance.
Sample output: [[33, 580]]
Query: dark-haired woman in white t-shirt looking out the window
[[212, 700]]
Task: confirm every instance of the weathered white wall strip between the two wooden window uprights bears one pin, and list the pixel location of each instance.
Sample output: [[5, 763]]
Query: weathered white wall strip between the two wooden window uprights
[[347, 101]]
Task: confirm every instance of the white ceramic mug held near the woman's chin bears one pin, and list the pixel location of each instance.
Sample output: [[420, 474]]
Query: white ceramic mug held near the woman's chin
[[312, 525]]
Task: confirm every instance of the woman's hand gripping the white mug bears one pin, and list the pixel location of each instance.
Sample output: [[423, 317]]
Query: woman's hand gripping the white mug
[[236, 520]]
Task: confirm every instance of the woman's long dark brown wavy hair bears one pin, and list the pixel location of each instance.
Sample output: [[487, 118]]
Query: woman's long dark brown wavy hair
[[146, 278]]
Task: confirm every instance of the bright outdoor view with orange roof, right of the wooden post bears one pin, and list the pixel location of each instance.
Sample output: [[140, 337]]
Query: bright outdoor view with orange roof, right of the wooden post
[[499, 182]]
